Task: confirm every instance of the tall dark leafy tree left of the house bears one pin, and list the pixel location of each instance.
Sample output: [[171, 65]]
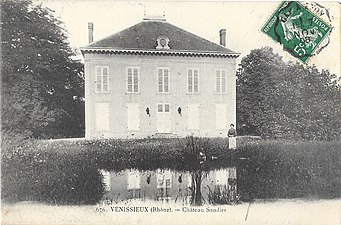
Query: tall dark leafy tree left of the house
[[42, 86]]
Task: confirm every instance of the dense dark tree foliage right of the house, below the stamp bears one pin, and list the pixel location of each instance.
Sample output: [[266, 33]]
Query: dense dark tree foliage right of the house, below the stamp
[[278, 99]]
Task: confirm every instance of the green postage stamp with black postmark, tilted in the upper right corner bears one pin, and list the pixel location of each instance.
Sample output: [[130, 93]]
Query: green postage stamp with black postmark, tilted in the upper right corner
[[300, 31]]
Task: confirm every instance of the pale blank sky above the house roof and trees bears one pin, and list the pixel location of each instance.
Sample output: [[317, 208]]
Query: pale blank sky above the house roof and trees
[[242, 21]]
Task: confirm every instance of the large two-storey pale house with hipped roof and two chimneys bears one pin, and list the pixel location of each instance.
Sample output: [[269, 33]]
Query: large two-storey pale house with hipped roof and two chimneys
[[155, 78]]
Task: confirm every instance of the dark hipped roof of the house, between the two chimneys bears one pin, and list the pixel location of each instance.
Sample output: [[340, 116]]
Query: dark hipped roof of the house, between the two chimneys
[[143, 37]]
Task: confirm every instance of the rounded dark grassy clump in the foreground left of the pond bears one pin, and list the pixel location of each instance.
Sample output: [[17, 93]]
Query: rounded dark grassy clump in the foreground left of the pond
[[33, 173]]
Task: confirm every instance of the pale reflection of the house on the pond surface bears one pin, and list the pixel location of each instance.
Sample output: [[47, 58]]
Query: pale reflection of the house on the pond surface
[[218, 186]]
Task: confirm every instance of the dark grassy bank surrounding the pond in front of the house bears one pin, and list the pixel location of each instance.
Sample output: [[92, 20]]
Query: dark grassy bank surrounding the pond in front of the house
[[66, 172]]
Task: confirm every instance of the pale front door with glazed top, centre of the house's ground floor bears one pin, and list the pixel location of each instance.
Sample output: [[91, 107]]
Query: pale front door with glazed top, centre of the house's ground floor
[[163, 118]]
